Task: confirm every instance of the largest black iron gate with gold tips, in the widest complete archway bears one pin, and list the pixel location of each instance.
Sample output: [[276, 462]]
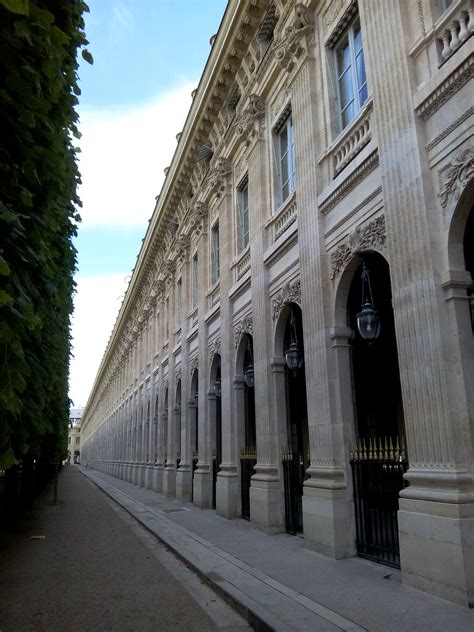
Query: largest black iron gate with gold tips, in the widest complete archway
[[378, 466]]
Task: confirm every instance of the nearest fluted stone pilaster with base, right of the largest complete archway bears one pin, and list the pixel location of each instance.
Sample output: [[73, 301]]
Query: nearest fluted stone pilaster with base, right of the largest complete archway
[[437, 509]]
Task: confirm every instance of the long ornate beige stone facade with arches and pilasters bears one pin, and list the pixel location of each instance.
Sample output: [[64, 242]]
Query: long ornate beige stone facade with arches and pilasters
[[296, 343]]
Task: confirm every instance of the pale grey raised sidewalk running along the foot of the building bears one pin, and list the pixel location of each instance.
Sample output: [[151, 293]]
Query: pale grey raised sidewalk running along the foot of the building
[[277, 583]]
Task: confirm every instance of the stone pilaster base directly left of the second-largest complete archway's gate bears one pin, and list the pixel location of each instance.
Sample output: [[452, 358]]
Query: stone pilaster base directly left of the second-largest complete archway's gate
[[267, 504]]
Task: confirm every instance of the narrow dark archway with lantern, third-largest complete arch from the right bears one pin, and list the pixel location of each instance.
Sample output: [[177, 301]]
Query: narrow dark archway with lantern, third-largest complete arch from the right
[[248, 455]]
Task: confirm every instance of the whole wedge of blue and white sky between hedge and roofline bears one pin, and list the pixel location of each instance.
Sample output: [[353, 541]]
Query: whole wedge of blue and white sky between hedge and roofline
[[148, 57]]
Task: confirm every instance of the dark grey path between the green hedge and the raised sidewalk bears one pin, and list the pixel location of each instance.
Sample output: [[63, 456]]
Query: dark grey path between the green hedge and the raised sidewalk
[[85, 564]]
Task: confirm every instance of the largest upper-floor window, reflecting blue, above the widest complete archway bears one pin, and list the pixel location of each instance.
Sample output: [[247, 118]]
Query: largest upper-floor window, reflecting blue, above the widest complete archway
[[350, 74]]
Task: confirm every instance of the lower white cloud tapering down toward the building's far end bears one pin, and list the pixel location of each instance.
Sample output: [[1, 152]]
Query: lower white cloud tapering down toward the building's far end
[[97, 303]]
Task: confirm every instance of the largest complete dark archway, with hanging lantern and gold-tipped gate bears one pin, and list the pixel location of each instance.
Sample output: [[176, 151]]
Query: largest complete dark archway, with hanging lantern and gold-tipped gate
[[378, 459]]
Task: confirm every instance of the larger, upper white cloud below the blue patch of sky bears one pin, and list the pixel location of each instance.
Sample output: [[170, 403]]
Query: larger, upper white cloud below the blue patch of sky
[[123, 154]]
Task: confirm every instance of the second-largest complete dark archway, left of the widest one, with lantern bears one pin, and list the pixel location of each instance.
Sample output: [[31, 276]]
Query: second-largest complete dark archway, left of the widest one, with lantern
[[296, 457]]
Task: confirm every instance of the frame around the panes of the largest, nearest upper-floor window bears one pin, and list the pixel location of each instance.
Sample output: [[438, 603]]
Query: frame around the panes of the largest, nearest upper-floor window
[[348, 39]]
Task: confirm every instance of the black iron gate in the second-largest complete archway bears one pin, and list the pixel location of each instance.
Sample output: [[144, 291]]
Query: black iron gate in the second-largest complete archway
[[294, 476]]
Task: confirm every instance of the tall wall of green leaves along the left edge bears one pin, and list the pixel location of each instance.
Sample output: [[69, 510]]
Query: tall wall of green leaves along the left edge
[[39, 42]]
